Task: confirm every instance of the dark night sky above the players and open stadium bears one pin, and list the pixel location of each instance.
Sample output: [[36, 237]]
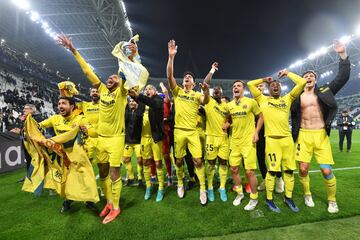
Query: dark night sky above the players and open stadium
[[248, 38]]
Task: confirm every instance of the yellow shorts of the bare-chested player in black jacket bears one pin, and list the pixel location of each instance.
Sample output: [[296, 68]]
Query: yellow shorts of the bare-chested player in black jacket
[[313, 142]]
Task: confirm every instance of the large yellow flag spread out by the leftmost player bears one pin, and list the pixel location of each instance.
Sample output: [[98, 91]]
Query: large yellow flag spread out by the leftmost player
[[67, 171]]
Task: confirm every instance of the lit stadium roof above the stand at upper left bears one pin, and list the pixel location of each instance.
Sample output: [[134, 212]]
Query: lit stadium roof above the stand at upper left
[[94, 25]]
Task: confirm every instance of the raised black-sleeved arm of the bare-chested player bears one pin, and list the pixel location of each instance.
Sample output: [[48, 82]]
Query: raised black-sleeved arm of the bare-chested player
[[343, 74]]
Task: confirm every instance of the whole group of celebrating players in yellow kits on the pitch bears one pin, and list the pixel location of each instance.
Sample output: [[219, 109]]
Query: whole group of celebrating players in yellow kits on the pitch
[[184, 138]]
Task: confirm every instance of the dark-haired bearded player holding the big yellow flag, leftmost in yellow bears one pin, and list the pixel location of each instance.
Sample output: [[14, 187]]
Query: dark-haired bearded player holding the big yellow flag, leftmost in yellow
[[64, 122]]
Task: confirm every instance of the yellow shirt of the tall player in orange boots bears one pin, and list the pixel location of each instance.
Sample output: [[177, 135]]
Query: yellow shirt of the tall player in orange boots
[[112, 111]]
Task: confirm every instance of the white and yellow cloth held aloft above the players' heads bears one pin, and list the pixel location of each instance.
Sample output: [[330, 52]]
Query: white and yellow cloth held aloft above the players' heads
[[135, 73]]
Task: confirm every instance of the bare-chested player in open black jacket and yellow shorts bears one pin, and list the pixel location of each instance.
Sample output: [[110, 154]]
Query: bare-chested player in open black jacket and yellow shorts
[[312, 114]]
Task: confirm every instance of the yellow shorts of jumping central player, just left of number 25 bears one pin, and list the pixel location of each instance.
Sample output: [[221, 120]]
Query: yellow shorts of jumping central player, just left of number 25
[[187, 138]]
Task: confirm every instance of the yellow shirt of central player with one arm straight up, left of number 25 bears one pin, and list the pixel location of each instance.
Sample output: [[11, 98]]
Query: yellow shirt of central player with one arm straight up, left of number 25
[[186, 108]]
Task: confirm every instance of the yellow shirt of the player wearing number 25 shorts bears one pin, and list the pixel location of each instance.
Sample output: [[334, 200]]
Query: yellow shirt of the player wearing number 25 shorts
[[216, 117]]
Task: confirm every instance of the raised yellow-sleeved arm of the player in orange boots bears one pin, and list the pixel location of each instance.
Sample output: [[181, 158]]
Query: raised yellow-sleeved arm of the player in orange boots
[[89, 73]]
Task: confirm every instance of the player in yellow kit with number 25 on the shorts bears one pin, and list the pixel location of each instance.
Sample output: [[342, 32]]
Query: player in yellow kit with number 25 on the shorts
[[217, 142]]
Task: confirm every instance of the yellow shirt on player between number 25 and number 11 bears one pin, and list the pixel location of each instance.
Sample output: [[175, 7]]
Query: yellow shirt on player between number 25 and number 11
[[243, 117]]
